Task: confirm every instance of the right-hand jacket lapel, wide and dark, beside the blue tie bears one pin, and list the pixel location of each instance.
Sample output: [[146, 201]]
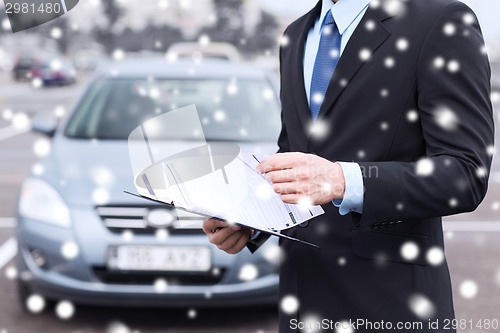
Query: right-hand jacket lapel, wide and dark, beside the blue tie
[[362, 42]]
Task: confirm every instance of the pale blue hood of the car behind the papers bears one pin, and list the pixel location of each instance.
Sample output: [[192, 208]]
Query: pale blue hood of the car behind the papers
[[86, 173]]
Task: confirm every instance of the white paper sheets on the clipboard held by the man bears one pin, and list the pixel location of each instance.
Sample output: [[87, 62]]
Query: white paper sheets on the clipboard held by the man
[[235, 192]]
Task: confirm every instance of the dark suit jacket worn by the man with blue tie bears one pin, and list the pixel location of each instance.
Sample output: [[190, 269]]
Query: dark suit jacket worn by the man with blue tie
[[359, 272]]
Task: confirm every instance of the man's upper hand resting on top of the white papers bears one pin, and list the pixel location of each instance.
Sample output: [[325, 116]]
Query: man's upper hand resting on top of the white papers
[[307, 178]]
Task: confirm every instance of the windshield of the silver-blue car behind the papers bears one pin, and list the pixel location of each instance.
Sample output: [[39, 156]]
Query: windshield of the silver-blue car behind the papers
[[229, 110]]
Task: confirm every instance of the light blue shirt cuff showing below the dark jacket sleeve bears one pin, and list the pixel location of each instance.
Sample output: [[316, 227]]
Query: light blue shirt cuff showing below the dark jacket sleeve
[[354, 189]]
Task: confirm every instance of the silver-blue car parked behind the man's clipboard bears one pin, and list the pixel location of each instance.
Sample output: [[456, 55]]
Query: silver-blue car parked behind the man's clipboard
[[76, 224]]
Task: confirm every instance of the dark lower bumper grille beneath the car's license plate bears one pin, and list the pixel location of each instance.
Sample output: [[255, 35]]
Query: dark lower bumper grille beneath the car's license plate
[[148, 278]]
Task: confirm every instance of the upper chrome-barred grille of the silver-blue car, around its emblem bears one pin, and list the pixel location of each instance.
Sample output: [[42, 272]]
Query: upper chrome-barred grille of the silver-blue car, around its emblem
[[119, 218]]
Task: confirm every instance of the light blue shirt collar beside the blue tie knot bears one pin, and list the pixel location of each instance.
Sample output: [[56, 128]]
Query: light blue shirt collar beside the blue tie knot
[[344, 12]]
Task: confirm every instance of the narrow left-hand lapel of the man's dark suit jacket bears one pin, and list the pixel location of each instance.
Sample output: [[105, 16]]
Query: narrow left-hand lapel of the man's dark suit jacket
[[302, 106]]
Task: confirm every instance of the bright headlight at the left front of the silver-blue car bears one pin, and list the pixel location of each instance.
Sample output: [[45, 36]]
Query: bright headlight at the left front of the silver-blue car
[[40, 201]]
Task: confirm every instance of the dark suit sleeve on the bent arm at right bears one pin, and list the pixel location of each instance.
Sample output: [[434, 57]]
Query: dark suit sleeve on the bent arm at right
[[457, 123]]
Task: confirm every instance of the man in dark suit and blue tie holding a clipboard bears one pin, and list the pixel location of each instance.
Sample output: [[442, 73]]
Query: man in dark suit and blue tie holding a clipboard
[[387, 123]]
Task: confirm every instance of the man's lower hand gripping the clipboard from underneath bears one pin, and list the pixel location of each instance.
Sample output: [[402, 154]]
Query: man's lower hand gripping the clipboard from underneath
[[229, 238]]
